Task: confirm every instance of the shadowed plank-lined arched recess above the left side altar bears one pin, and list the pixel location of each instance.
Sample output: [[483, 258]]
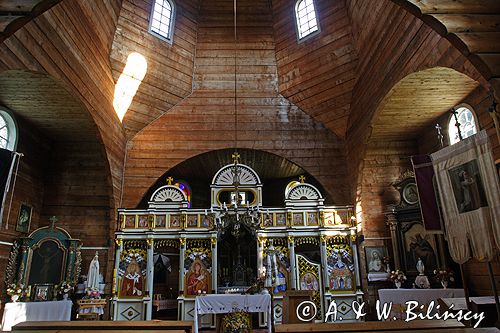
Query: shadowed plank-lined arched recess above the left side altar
[[57, 131]]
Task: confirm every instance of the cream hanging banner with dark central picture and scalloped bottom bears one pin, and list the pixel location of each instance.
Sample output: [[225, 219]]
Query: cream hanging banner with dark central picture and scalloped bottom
[[469, 191]]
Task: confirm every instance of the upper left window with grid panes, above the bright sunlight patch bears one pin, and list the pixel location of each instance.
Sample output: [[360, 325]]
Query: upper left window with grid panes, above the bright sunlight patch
[[161, 22]]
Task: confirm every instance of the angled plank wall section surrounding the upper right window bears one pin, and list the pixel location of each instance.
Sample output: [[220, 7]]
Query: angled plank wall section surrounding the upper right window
[[317, 74]]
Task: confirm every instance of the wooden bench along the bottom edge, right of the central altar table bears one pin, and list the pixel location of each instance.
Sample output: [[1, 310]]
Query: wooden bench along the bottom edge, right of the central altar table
[[371, 326]]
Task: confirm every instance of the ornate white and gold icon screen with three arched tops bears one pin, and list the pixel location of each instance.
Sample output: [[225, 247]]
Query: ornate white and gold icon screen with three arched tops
[[173, 252]]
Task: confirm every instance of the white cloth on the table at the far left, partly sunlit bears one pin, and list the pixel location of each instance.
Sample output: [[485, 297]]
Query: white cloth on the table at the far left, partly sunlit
[[18, 312]]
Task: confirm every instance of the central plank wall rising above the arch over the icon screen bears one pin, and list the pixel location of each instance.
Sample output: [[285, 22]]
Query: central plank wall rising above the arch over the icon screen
[[205, 120]]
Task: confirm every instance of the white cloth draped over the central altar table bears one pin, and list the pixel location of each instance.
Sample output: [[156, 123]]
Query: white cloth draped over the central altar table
[[227, 303]]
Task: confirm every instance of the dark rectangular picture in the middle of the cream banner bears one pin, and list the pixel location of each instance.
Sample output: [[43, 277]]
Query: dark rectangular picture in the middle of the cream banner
[[468, 187]]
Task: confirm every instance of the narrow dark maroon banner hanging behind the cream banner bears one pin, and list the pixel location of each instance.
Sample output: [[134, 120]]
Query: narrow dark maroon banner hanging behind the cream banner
[[424, 175]]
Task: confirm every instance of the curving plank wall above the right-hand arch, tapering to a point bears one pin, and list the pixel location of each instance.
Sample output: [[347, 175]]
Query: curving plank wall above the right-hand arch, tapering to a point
[[389, 48]]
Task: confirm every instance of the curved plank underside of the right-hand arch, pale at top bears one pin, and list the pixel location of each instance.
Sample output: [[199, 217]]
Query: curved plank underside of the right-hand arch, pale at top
[[409, 108]]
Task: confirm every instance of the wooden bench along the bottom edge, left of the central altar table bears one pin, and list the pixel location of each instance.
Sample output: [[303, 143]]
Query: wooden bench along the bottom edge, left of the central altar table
[[121, 326]]
